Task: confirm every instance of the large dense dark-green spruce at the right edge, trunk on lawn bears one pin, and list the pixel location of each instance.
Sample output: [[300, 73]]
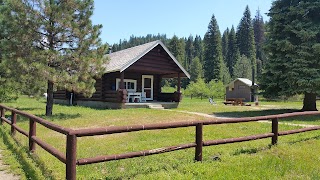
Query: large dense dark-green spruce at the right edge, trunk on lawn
[[293, 46]]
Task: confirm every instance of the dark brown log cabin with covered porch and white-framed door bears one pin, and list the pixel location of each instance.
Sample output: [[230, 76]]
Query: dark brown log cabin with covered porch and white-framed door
[[133, 79]]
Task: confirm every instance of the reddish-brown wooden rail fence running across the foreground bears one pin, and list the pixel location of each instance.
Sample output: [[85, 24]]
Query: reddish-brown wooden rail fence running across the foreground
[[70, 158]]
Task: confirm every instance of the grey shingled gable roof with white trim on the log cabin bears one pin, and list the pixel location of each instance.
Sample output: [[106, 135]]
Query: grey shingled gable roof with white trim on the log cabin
[[121, 60]]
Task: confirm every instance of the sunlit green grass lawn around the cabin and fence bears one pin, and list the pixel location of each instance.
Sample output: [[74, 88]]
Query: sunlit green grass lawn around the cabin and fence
[[293, 158]]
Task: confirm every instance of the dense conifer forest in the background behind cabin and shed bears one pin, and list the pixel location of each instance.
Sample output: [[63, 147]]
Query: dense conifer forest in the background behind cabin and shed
[[217, 56]]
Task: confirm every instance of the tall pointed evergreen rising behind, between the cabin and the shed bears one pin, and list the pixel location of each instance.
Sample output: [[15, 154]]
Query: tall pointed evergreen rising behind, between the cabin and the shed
[[213, 52]]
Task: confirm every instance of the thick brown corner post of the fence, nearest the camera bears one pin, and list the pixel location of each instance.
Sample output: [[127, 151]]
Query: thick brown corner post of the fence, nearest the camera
[[71, 155]]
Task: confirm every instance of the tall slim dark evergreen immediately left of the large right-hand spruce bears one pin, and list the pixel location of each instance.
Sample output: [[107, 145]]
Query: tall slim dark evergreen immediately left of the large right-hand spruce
[[259, 37]]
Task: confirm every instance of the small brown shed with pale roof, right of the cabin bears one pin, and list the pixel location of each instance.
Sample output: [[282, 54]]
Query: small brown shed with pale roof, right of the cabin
[[241, 88]]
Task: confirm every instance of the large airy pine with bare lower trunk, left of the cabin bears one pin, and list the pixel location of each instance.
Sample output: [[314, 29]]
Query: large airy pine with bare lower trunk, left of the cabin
[[54, 42]]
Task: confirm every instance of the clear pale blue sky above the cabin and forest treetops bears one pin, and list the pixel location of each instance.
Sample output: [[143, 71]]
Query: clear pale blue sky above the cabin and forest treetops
[[123, 18]]
